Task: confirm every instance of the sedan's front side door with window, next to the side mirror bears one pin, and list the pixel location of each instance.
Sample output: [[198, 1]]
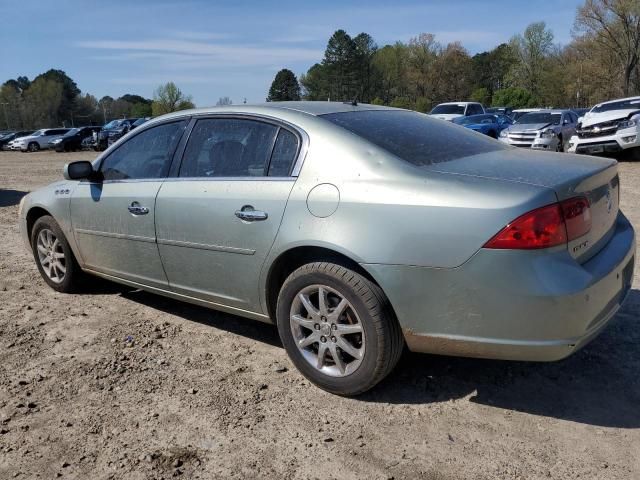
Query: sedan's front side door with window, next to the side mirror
[[113, 220]]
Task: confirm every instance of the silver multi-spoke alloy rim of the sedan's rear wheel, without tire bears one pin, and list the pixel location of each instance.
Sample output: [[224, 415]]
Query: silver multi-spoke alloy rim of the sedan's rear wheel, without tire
[[327, 330]]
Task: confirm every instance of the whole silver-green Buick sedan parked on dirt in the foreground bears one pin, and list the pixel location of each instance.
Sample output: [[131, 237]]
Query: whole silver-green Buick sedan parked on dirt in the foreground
[[356, 229]]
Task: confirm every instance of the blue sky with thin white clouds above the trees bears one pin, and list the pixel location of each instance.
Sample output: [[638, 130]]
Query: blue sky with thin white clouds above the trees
[[234, 48]]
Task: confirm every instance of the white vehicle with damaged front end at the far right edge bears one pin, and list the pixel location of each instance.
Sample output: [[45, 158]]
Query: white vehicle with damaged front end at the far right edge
[[609, 127]]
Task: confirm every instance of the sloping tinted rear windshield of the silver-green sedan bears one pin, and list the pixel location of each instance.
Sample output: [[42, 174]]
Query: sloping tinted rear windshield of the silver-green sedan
[[414, 137]]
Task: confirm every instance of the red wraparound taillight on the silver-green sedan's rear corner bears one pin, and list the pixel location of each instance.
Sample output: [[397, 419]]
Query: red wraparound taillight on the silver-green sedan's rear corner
[[545, 227]]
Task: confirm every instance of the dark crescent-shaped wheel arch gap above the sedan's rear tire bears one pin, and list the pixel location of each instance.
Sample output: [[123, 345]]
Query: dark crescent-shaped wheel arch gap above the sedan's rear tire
[[293, 258]]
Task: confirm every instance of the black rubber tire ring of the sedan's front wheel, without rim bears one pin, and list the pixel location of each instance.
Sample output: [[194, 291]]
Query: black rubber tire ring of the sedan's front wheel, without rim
[[73, 274]]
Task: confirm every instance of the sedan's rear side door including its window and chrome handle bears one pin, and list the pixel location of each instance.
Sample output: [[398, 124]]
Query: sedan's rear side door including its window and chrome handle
[[217, 221]]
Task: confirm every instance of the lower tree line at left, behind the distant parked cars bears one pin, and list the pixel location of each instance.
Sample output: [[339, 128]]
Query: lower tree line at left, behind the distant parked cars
[[53, 99]]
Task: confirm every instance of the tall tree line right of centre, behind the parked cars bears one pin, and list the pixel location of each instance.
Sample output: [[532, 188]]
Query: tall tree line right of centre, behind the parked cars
[[601, 62]]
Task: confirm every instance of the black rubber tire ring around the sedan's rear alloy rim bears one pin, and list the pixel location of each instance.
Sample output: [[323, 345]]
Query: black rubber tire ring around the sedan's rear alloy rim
[[382, 334]]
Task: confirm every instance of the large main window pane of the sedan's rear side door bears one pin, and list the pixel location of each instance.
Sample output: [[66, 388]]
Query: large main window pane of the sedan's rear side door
[[229, 147]]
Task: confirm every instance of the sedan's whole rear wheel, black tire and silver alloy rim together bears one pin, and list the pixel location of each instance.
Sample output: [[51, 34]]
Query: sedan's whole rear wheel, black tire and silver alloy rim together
[[338, 328]]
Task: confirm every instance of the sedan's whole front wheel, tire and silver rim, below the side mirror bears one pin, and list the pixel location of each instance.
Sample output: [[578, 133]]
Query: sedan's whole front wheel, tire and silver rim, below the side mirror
[[53, 256]]
